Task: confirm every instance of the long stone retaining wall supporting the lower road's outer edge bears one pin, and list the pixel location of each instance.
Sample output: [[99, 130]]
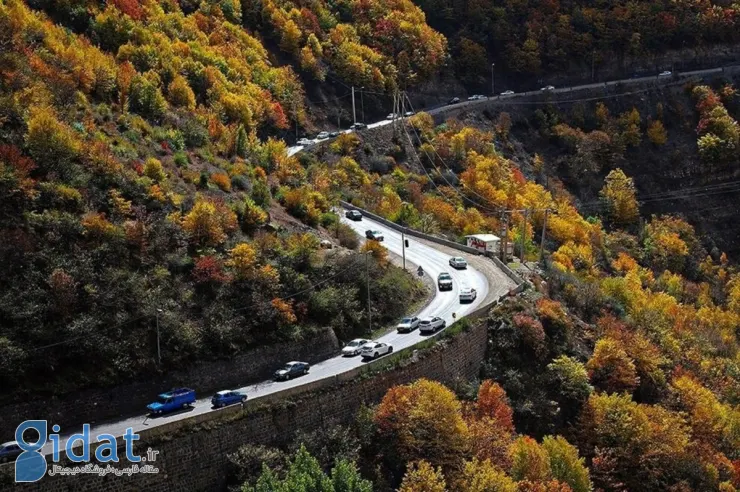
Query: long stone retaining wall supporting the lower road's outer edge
[[192, 455]]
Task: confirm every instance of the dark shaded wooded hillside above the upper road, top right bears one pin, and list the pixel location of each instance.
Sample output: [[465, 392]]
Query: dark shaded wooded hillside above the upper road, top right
[[540, 39]]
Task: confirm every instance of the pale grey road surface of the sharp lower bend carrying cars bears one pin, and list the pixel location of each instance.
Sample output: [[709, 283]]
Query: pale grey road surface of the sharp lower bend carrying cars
[[443, 304]]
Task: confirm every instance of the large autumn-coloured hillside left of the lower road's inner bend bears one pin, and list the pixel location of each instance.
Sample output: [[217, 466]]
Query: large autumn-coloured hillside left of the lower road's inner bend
[[134, 189]]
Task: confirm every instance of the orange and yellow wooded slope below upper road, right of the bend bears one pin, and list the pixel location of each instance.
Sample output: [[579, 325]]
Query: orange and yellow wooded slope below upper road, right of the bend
[[629, 349]]
